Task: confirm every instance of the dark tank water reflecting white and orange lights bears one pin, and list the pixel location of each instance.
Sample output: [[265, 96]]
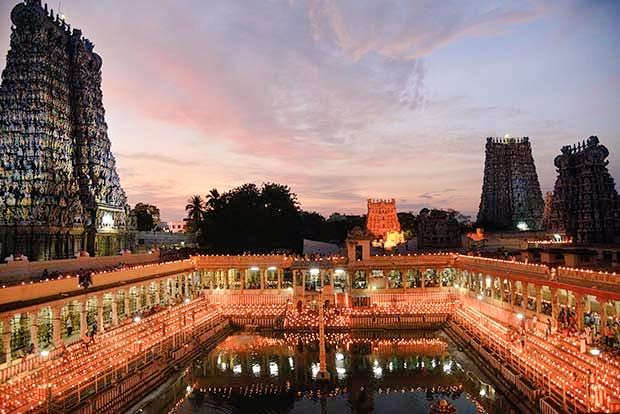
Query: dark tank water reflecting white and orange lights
[[249, 373]]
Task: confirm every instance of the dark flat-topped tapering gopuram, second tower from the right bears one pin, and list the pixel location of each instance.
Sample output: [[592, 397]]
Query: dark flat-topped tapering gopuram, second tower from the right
[[511, 197]]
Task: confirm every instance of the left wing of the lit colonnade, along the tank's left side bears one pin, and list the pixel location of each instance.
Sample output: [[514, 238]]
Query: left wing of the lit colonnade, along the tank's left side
[[61, 322]]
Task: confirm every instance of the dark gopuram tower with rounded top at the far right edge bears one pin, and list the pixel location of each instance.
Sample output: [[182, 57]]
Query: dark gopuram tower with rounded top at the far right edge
[[586, 205]]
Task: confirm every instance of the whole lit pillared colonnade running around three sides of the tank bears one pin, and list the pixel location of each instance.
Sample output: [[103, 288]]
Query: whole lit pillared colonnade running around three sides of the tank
[[62, 321]]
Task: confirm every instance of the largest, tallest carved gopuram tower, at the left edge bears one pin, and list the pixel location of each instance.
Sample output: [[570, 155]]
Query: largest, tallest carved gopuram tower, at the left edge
[[59, 190]]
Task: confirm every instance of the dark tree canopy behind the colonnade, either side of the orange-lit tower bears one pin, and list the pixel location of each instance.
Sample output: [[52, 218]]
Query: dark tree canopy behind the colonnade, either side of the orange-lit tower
[[269, 218]]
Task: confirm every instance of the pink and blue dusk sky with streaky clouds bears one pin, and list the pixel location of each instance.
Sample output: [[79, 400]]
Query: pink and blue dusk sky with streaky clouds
[[345, 100]]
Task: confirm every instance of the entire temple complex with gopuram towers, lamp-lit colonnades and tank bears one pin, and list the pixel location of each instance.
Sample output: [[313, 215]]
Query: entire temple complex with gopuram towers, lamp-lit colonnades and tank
[[452, 332]]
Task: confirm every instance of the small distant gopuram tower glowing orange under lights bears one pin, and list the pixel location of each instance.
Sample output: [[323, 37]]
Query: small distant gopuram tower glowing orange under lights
[[382, 222]]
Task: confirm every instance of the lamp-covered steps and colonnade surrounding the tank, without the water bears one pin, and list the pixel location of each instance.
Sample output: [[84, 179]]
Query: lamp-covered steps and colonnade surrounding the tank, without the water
[[150, 316]]
